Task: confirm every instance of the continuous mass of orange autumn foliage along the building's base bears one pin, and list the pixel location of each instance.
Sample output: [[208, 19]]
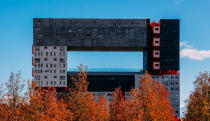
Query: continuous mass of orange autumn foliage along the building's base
[[149, 102]]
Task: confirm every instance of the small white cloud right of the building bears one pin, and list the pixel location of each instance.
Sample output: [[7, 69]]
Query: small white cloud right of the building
[[195, 54]]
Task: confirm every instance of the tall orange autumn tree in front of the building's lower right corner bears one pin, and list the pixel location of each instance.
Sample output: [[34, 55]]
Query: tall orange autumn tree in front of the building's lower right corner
[[155, 100]]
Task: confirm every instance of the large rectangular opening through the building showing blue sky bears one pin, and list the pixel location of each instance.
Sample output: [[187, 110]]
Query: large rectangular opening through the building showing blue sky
[[106, 61]]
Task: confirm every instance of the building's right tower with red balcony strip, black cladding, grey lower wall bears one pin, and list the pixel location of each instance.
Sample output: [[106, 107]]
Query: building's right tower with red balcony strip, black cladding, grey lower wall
[[163, 57]]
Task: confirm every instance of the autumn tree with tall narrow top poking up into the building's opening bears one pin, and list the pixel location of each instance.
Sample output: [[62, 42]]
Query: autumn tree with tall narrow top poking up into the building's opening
[[82, 103]]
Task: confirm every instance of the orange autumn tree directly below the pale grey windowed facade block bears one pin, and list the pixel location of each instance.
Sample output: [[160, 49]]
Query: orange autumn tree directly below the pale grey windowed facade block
[[43, 105]]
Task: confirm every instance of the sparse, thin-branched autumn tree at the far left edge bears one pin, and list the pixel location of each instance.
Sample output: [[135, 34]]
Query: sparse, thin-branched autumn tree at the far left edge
[[12, 96]]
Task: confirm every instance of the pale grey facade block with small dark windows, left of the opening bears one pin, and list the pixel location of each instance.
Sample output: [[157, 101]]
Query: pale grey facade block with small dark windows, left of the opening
[[50, 66]]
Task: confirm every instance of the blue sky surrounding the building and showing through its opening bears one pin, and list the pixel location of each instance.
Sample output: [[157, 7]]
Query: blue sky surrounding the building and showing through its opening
[[16, 34]]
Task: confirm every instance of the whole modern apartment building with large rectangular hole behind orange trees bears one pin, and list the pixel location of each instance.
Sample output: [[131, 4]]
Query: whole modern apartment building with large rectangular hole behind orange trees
[[159, 42]]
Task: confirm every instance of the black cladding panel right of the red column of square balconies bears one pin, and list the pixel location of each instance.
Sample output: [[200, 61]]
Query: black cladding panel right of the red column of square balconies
[[169, 44]]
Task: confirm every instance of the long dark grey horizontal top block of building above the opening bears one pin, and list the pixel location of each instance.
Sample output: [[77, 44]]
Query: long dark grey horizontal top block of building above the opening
[[90, 34]]
